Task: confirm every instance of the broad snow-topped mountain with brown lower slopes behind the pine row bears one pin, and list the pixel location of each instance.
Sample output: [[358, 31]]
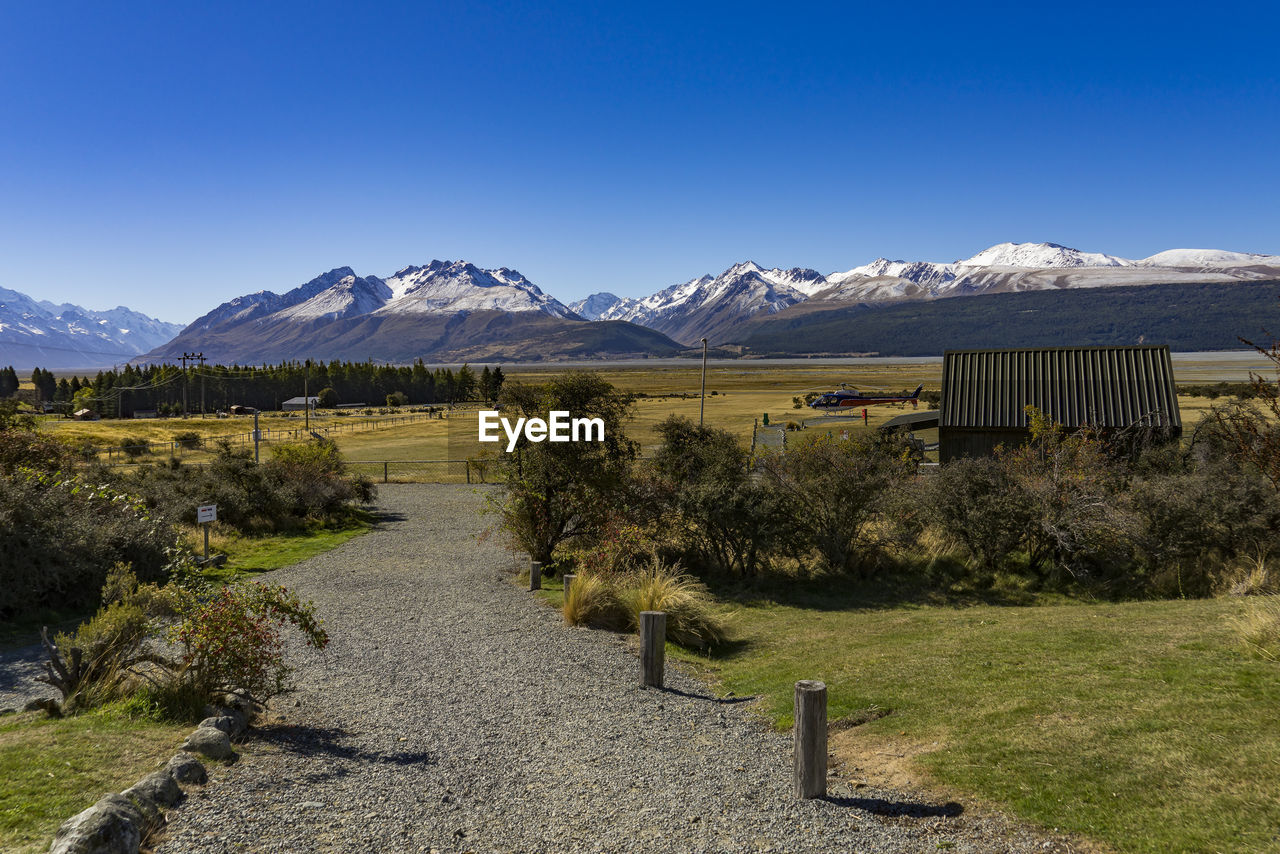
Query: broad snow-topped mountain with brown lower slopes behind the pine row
[[445, 310]]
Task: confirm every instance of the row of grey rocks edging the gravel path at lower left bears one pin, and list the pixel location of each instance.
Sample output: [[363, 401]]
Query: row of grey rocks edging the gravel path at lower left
[[118, 824]]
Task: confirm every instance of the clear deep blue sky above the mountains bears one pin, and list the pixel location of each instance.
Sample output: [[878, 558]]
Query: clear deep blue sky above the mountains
[[171, 157]]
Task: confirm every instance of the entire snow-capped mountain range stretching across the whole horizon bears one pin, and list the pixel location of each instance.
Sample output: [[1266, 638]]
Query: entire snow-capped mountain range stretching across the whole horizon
[[455, 312]]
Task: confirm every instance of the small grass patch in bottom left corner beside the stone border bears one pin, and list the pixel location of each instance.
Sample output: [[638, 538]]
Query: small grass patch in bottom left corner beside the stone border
[[52, 770]]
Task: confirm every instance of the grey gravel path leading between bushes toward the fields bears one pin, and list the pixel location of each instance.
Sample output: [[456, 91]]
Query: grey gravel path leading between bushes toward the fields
[[455, 713]]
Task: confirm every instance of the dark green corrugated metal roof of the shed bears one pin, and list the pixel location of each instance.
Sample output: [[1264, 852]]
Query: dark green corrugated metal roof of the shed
[[1110, 387]]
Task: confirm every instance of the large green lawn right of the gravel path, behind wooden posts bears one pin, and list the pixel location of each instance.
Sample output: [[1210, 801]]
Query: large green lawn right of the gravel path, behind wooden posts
[[1141, 725]]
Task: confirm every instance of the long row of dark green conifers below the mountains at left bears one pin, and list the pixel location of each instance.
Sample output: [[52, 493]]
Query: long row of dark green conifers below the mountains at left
[[172, 390]]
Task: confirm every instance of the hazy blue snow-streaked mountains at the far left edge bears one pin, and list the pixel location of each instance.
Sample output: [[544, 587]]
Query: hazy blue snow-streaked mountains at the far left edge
[[40, 334]]
